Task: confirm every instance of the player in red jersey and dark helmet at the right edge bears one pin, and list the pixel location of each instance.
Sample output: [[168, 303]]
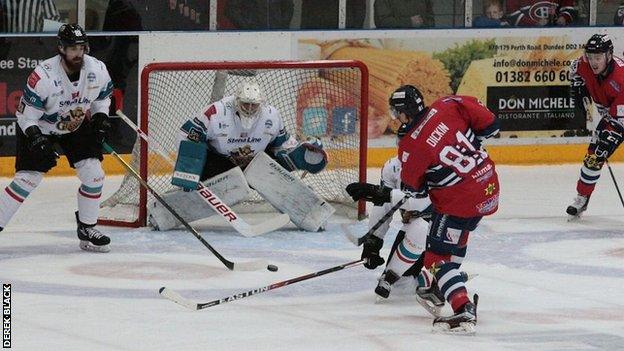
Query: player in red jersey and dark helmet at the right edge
[[599, 76]]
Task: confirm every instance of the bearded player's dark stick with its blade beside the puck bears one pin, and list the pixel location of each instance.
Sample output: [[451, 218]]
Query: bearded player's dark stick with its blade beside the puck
[[244, 266]]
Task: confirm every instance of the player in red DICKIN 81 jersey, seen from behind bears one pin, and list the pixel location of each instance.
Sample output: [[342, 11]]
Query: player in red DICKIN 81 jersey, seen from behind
[[441, 156]]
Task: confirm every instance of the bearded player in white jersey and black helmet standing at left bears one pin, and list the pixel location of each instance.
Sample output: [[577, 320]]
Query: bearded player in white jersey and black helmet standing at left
[[65, 105]]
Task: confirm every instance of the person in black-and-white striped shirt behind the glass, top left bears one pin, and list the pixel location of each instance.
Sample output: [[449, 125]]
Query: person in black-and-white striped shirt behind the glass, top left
[[23, 16]]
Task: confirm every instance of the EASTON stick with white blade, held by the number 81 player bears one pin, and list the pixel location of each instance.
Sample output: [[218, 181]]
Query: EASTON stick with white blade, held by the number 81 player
[[177, 298]]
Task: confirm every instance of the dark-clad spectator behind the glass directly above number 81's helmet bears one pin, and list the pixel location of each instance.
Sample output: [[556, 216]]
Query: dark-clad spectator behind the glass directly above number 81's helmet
[[403, 14]]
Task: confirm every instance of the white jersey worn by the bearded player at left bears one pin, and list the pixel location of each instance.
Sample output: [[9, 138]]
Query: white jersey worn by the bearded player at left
[[59, 106]]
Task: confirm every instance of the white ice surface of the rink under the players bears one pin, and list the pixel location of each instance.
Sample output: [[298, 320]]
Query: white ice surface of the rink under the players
[[544, 283]]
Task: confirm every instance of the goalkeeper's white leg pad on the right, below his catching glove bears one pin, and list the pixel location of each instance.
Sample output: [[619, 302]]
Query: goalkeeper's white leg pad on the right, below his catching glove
[[287, 193]]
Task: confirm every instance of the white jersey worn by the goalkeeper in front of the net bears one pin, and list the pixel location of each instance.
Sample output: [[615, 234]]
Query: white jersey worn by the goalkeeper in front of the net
[[220, 127]]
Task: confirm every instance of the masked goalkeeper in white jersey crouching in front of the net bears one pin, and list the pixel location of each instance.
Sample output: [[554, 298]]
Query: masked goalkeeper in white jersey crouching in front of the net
[[228, 134]]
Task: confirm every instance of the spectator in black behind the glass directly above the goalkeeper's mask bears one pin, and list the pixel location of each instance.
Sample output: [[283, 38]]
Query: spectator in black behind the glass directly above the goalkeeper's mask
[[260, 14]]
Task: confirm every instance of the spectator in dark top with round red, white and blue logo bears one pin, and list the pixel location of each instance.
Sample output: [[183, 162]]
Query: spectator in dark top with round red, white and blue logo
[[541, 13]]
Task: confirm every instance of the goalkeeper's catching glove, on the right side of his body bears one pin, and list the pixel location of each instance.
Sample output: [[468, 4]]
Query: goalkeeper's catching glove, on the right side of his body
[[308, 156]]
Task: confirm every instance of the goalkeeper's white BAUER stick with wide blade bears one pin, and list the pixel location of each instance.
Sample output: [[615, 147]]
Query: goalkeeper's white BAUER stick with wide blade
[[244, 228]]
